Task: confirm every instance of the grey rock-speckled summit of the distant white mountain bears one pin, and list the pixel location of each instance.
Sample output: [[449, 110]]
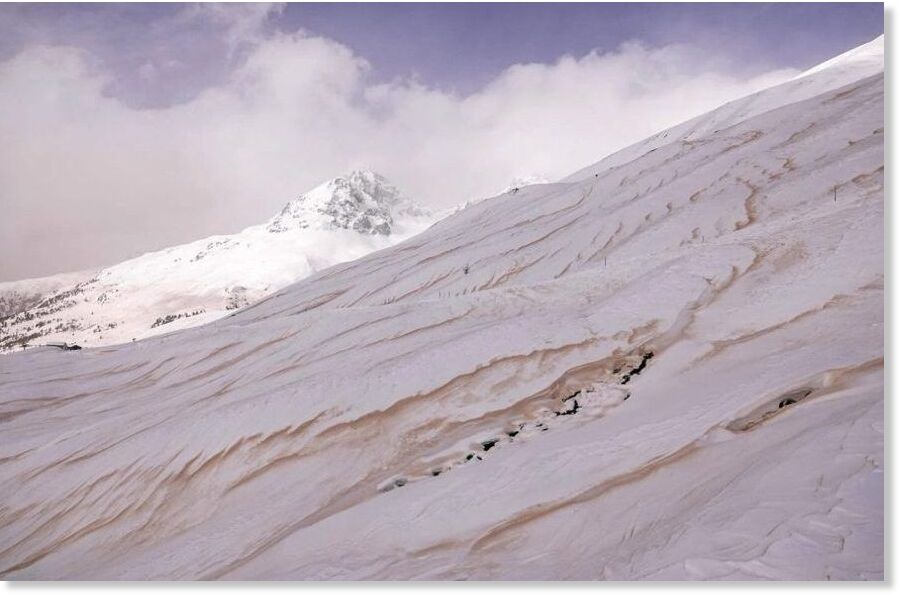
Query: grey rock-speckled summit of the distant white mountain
[[361, 200]]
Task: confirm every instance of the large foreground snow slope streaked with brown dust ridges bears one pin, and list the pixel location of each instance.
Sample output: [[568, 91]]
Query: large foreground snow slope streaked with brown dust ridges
[[666, 367]]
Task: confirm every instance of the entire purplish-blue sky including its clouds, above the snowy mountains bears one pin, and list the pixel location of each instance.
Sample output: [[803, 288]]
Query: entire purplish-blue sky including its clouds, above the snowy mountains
[[128, 128]]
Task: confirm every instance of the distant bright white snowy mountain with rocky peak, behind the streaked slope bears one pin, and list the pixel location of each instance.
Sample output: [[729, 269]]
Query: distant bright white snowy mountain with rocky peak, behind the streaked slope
[[190, 284]]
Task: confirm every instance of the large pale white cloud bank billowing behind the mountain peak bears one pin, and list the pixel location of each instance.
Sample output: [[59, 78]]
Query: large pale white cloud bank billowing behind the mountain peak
[[86, 179]]
